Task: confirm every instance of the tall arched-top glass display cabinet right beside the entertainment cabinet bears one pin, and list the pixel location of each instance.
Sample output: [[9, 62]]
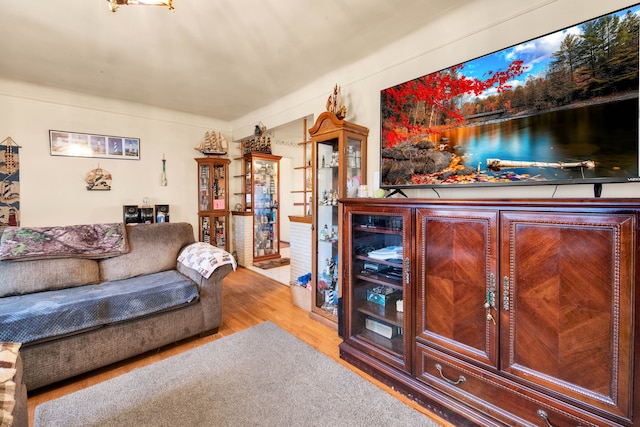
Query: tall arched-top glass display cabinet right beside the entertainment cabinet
[[339, 153]]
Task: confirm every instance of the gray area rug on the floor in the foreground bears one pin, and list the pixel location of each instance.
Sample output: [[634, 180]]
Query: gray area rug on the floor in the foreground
[[262, 376]]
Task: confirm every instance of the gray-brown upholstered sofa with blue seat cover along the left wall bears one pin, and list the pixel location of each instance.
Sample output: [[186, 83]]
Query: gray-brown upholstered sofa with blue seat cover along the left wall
[[152, 258]]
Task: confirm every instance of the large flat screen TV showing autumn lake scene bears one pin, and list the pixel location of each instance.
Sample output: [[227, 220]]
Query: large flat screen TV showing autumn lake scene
[[558, 109]]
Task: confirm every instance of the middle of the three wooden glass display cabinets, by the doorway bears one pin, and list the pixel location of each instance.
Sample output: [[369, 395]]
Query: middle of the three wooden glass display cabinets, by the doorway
[[262, 198]]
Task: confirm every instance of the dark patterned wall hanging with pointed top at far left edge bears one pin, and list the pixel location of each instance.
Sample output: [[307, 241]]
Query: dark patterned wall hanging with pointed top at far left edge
[[9, 184]]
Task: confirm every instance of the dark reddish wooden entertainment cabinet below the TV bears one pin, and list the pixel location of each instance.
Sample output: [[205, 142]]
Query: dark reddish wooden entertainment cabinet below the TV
[[512, 312]]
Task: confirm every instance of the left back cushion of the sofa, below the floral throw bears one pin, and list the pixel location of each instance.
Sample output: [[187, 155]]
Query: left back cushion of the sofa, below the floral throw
[[26, 277]]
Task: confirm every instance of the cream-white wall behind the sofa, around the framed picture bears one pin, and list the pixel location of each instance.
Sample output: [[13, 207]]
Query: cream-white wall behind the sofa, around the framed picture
[[52, 188]]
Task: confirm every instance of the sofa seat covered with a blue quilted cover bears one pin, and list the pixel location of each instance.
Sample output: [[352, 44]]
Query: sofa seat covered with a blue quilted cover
[[43, 315]]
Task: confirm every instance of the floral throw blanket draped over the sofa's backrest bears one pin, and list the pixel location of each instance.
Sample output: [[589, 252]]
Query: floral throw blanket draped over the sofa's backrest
[[77, 241]]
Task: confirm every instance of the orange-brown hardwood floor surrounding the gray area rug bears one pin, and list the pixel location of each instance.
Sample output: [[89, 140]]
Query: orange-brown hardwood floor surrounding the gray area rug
[[249, 299]]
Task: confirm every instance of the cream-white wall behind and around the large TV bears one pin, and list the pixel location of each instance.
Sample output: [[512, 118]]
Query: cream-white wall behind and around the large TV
[[479, 28]]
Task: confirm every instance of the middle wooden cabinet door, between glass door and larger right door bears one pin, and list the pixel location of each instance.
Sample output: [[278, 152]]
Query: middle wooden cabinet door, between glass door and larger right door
[[456, 266]]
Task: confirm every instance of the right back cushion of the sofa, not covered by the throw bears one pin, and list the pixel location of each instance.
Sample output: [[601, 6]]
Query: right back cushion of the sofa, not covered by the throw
[[152, 248]]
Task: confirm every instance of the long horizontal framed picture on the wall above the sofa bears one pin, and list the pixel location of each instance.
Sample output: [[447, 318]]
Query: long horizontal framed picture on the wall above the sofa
[[88, 145]]
